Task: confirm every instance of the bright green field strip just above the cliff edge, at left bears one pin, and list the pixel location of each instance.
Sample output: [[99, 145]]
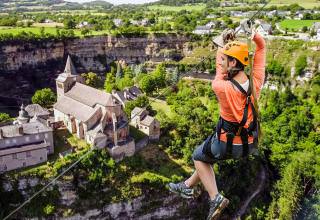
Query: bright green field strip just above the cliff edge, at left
[[50, 30]]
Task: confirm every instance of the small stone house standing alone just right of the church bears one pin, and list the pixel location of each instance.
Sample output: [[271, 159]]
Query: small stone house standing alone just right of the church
[[145, 123]]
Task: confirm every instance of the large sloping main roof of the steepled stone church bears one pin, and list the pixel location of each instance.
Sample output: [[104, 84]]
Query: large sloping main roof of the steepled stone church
[[89, 96]]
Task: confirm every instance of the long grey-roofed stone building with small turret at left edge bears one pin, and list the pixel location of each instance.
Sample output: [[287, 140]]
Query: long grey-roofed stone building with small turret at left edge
[[24, 143]]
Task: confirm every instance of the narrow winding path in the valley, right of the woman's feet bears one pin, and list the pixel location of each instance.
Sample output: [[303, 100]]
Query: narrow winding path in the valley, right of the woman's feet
[[245, 204]]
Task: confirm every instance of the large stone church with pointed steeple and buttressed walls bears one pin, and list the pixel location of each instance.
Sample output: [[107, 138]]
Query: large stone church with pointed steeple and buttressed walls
[[91, 114]]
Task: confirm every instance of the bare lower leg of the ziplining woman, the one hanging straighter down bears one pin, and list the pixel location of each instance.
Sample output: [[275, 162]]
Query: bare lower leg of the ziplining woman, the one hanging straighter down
[[205, 172]]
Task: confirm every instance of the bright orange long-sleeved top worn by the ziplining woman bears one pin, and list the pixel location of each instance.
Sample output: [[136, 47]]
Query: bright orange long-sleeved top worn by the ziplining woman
[[231, 100]]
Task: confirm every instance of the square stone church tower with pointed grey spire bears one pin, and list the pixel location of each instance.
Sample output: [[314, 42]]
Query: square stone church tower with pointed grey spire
[[67, 79]]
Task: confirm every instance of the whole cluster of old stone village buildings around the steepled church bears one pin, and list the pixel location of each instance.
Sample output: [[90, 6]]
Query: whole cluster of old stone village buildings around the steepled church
[[88, 113]]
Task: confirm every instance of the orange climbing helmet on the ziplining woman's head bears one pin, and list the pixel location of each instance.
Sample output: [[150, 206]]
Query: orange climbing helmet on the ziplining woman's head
[[238, 50]]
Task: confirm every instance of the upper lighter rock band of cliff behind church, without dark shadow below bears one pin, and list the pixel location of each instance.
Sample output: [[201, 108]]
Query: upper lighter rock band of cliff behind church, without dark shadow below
[[90, 54]]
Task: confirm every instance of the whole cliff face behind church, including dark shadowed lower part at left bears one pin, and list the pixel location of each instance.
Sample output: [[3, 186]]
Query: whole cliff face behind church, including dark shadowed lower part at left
[[28, 66]]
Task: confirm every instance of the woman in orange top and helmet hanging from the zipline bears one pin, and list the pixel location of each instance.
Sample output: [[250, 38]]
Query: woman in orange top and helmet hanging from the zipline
[[236, 134]]
